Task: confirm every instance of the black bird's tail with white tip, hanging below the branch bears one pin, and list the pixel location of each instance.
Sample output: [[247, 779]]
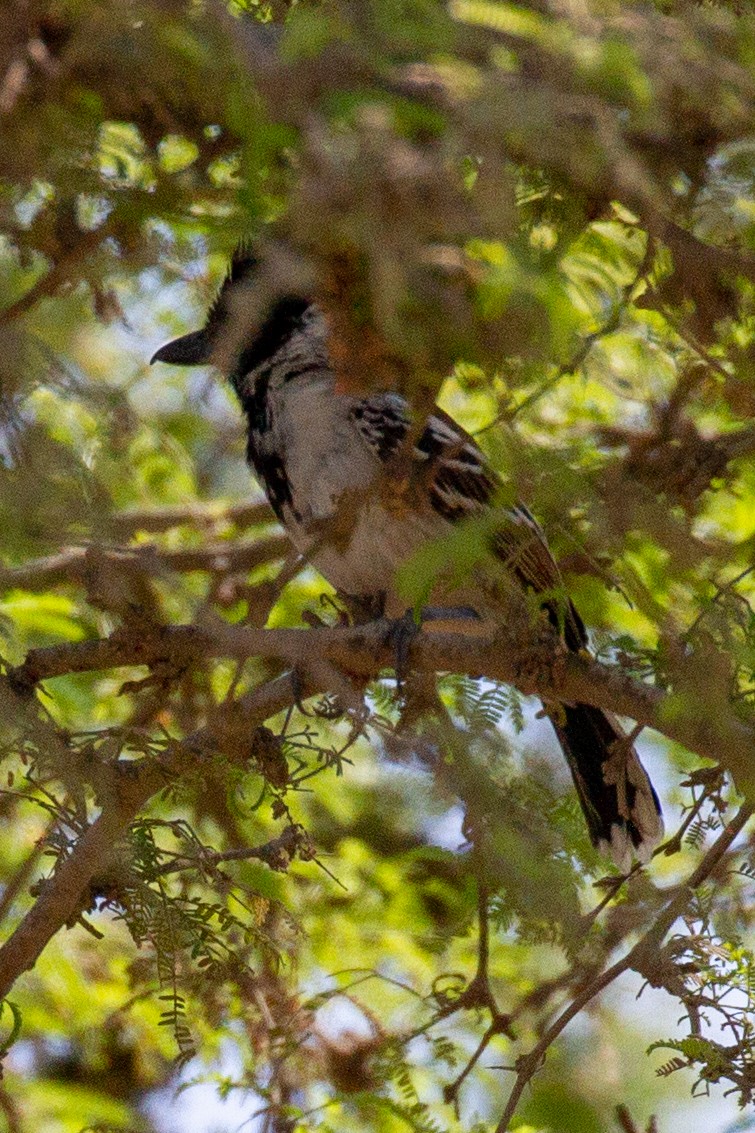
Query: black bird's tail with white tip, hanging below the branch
[[621, 806]]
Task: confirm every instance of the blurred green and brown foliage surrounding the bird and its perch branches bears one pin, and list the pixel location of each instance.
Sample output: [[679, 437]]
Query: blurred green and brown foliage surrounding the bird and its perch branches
[[542, 215]]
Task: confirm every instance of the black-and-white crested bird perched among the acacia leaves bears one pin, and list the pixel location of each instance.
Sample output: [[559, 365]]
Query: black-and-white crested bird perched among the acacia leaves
[[324, 456]]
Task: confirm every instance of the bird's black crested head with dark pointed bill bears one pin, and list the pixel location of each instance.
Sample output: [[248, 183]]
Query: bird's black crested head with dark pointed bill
[[247, 325]]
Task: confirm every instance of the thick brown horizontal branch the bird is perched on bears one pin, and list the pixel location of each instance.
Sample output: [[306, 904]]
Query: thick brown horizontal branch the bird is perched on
[[363, 652]]
